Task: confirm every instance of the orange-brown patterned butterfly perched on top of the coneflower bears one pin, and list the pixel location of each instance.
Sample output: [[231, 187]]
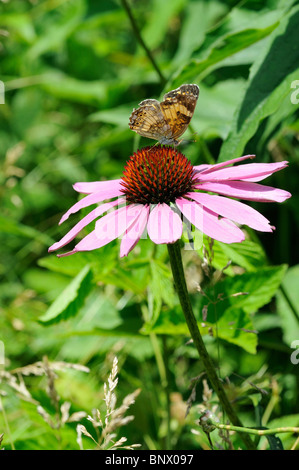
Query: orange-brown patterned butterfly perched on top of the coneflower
[[167, 120]]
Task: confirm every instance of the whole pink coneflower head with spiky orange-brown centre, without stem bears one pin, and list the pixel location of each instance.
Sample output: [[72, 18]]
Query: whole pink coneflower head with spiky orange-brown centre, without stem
[[160, 189]]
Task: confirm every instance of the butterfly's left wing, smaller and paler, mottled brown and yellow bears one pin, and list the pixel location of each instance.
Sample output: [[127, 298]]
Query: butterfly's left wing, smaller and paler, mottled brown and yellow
[[148, 120]]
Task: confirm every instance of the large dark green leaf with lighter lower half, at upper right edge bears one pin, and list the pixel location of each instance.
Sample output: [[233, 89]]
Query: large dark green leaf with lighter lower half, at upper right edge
[[269, 84]]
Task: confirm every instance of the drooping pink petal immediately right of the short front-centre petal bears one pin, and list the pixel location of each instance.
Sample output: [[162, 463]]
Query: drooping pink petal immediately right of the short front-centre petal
[[208, 222]]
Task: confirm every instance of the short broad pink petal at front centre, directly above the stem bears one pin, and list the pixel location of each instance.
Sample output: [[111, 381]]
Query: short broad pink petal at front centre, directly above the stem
[[164, 225]]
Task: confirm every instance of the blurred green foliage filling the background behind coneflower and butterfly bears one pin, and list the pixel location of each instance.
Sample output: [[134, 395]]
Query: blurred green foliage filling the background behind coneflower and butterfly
[[73, 71]]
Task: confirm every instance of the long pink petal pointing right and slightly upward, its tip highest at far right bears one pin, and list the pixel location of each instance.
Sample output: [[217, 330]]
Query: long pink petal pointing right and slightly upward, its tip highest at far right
[[249, 171]]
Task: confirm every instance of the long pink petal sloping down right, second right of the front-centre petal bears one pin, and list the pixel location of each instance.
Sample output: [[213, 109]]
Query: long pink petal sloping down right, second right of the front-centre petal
[[233, 210]]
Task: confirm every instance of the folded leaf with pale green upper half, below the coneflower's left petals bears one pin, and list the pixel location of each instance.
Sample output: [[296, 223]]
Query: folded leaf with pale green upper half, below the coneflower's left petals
[[70, 300]]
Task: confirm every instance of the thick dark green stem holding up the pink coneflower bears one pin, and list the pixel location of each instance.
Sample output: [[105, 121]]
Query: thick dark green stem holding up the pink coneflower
[[181, 287]]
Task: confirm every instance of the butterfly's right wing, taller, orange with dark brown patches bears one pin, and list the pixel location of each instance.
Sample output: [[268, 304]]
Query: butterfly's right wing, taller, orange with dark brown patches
[[178, 108]]
